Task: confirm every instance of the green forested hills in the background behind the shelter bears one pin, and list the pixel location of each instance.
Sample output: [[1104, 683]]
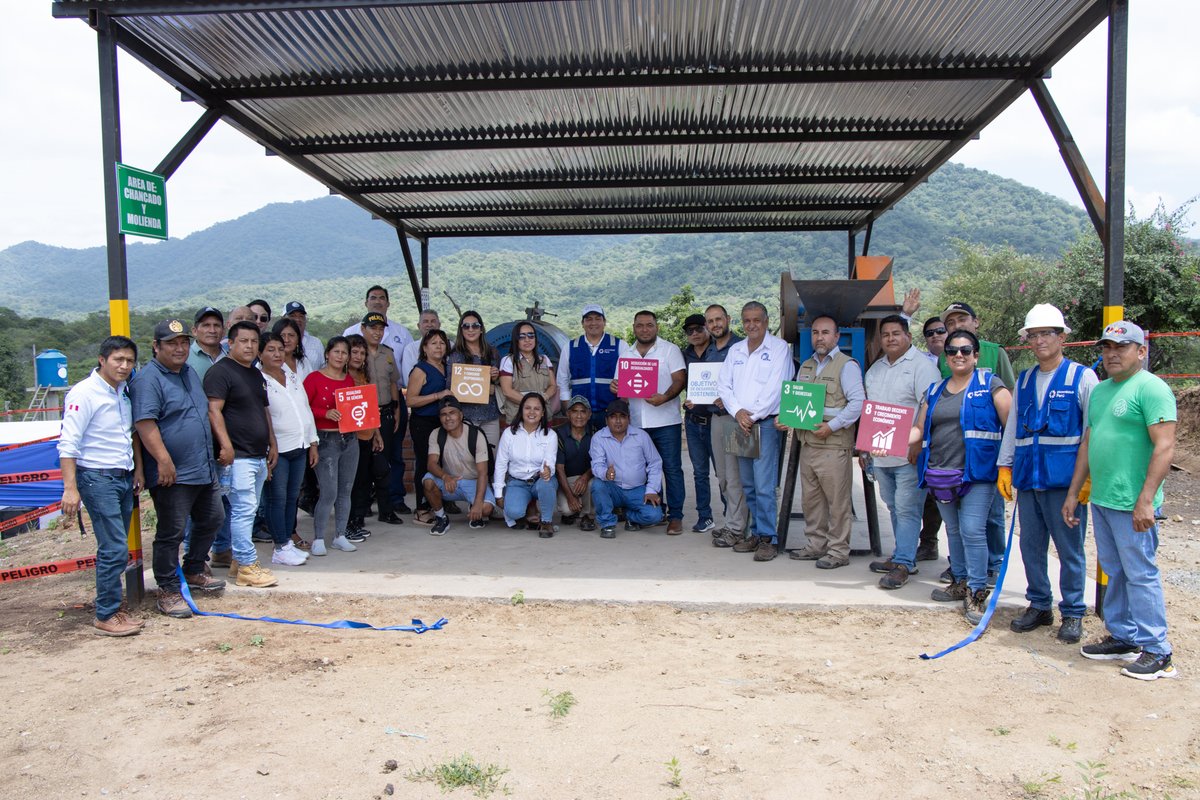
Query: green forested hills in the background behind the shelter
[[327, 252]]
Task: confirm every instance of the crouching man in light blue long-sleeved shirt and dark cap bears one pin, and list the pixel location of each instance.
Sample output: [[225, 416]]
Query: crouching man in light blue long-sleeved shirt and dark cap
[[627, 472]]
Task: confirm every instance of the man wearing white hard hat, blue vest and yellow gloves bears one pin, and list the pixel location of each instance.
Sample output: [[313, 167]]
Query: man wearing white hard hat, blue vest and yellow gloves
[[1037, 459]]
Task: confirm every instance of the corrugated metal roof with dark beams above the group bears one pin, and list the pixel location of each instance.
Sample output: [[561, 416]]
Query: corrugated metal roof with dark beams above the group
[[559, 117]]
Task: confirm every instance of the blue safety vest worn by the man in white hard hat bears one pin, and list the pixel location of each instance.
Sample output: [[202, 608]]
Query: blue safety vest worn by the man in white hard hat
[[1048, 438]]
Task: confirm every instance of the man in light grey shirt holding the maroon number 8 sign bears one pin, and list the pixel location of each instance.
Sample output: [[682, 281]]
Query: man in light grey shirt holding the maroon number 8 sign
[[902, 377]]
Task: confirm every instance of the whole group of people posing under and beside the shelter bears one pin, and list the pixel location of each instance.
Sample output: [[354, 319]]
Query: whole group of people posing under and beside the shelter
[[226, 408]]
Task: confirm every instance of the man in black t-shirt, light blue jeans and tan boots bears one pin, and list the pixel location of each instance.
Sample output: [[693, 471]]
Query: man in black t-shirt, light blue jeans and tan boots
[[245, 444]]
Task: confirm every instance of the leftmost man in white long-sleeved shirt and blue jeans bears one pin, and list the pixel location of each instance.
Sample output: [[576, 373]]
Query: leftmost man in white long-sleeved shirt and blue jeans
[[103, 470]]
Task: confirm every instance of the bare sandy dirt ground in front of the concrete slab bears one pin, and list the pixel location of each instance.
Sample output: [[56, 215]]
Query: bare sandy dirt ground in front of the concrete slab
[[746, 703]]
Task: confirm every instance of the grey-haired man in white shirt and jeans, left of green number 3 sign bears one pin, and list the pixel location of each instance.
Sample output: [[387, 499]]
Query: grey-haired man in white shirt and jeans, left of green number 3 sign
[[751, 386]]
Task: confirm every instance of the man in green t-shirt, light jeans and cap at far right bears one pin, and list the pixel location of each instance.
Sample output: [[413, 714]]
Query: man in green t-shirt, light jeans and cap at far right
[[1132, 414]]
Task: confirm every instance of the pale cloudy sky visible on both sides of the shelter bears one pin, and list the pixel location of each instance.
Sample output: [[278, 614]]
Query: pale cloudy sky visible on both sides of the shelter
[[52, 160]]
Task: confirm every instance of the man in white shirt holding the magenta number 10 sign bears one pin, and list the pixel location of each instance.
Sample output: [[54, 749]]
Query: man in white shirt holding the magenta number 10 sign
[[659, 414]]
